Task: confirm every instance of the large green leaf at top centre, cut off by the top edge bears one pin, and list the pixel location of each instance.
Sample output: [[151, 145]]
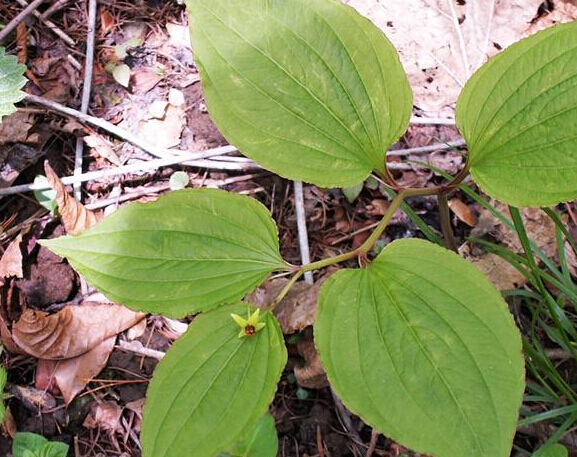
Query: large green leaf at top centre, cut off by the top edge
[[309, 89]]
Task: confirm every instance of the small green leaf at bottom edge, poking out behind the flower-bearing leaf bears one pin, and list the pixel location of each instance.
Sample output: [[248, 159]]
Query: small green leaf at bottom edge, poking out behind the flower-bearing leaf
[[262, 441]]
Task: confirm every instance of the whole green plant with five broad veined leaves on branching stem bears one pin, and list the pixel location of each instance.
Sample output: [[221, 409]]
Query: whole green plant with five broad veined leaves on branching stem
[[416, 342]]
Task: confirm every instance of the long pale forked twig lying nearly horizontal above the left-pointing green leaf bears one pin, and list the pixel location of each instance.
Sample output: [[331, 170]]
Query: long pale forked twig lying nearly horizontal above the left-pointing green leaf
[[191, 159]]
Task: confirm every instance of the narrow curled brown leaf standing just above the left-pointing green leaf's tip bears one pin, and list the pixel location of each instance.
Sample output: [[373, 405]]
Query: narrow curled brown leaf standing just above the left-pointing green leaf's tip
[[75, 217]]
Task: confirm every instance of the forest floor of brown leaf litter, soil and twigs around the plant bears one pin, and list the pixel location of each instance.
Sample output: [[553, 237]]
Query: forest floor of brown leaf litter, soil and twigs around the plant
[[145, 82]]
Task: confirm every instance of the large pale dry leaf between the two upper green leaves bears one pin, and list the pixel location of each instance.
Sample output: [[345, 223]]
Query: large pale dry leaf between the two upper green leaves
[[425, 34]]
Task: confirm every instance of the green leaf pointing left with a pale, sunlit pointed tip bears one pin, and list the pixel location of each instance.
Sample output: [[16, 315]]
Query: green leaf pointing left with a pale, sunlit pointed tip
[[191, 250]]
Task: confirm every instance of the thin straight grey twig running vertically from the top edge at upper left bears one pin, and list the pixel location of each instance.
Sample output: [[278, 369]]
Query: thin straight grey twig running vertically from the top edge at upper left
[[86, 90]]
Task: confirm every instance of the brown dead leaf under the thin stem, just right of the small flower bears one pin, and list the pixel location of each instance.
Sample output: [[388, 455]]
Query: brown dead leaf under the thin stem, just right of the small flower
[[298, 308]]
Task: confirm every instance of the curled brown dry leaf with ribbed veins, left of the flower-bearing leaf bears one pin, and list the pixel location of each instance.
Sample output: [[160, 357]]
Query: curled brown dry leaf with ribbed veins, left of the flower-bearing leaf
[[72, 331]]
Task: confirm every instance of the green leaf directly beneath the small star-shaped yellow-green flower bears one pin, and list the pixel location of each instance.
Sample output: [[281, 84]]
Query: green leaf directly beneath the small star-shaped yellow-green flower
[[212, 387]]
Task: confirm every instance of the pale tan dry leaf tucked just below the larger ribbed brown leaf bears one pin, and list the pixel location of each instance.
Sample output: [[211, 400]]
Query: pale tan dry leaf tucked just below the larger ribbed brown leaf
[[72, 375]]
